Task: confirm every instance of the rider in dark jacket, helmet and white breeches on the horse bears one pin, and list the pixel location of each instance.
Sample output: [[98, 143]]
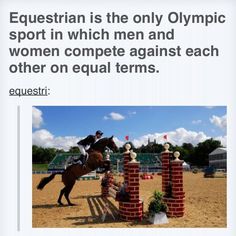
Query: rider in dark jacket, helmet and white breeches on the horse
[[83, 145]]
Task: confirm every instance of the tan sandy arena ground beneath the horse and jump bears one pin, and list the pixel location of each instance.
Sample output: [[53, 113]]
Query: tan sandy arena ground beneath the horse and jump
[[205, 204]]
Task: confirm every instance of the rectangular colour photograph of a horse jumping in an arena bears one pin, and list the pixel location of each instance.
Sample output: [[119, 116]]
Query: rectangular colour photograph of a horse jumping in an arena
[[129, 166]]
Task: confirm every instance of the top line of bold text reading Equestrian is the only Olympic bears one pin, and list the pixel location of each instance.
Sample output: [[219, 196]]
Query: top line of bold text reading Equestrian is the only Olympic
[[152, 17]]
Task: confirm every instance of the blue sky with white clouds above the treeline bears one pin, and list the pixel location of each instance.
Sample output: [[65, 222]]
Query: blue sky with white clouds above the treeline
[[63, 126]]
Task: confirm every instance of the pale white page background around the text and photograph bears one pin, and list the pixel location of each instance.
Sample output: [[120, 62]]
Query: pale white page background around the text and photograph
[[181, 81]]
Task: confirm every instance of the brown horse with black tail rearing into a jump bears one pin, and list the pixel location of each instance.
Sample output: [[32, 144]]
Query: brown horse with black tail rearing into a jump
[[70, 175]]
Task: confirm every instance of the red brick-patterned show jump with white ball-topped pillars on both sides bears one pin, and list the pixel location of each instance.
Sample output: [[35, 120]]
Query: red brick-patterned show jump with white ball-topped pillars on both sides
[[172, 185]]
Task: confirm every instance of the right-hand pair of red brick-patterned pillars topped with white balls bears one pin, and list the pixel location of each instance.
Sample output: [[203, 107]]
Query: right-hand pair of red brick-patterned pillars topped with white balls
[[172, 183]]
